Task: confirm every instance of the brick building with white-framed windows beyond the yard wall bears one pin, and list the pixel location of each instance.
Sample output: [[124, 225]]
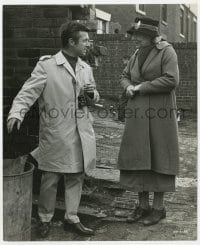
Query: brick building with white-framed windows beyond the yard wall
[[178, 21]]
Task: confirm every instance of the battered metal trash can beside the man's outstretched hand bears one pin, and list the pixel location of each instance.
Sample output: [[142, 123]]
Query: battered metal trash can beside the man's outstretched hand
[[17, 199]]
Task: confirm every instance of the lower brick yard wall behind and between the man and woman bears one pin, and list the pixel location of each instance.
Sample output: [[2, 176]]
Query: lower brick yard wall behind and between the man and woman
[[107, 75]]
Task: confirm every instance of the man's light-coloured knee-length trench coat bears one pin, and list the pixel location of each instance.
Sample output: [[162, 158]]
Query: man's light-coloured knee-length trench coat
[[66, 135]]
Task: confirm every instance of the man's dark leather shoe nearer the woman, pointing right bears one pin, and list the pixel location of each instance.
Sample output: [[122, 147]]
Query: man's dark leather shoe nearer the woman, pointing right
[[78, 228]]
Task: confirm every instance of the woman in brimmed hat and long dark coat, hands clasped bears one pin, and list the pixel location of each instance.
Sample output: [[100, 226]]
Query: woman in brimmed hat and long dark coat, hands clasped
[[148, 157]]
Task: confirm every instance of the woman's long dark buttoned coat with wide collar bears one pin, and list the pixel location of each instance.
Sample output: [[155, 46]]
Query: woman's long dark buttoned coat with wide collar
[[150, 139]]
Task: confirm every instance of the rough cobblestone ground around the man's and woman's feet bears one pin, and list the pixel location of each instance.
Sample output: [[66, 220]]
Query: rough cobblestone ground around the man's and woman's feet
[[181, 220]]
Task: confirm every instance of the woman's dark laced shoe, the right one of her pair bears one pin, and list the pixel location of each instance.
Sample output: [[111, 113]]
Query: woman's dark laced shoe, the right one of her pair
[[154, 217]]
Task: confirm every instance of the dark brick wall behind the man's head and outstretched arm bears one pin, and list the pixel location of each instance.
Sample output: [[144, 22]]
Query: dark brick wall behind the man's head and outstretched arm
[[29, 32]]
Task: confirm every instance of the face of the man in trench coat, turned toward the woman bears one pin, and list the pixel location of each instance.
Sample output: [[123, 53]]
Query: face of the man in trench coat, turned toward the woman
[[83, 43]]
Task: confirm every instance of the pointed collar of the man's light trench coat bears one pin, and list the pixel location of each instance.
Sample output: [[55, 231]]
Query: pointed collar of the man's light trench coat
[[61, 60]]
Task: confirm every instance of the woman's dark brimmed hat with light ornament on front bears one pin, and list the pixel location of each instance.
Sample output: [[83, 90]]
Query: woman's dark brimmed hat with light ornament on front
[[146, 26]]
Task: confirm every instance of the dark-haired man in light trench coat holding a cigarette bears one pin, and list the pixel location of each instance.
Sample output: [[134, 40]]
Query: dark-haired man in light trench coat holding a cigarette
[[66, 136]]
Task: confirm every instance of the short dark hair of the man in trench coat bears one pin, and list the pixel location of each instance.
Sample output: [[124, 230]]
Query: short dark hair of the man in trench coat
[[71, 30]]
